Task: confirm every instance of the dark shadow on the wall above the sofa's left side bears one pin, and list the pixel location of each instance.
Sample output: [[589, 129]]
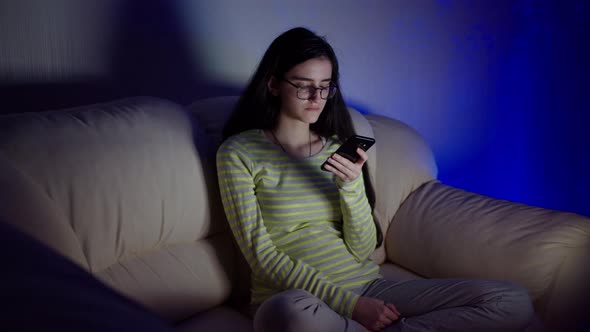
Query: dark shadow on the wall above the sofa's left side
[[149, 54]]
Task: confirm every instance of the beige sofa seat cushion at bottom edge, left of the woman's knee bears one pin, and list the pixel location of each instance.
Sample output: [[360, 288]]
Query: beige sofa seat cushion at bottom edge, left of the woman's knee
[[218, 319]]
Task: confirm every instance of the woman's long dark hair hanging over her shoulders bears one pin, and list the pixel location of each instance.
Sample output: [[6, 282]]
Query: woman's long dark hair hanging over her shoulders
[[257, 108]]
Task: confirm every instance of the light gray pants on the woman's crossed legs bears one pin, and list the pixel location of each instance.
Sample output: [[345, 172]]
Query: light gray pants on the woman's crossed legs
[[424, 305]]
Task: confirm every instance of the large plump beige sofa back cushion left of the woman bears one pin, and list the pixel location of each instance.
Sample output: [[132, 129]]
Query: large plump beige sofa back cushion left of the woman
[[127, 187]]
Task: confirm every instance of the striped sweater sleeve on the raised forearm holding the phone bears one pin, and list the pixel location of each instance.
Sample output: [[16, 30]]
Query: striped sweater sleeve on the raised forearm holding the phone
[[358, 227]]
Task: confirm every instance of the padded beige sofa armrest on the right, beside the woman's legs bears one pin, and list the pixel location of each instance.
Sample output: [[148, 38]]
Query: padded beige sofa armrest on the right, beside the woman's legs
[[443, 232]]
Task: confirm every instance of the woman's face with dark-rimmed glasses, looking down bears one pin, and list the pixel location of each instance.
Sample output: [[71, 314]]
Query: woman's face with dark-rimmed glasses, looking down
[[316, 73]]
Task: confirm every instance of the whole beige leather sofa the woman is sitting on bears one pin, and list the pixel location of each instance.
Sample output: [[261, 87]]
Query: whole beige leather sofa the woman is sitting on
[[128, 191]]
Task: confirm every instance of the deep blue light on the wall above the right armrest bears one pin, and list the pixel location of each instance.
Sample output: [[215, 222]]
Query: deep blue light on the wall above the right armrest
[[535, 146]]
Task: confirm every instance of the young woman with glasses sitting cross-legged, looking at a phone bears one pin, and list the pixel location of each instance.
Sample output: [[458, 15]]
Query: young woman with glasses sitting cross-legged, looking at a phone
[[307, 233]]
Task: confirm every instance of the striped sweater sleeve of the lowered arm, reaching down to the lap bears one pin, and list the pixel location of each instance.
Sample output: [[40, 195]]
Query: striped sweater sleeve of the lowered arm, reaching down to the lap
[[236, 183]]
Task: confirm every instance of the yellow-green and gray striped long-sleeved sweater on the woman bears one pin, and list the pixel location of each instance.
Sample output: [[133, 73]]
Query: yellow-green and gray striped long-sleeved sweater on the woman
[[298, 227]]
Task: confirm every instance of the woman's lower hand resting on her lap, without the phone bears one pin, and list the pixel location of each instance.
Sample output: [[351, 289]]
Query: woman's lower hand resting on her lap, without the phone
[[374, 314]]
